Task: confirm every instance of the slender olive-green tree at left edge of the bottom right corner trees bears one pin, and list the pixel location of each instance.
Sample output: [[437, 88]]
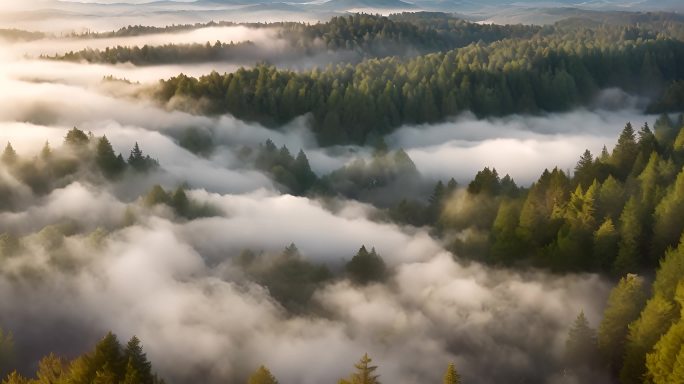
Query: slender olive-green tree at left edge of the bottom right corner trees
[[624, 306]]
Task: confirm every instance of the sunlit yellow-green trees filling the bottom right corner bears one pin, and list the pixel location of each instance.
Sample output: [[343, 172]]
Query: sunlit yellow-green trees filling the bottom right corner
[[640, 337]]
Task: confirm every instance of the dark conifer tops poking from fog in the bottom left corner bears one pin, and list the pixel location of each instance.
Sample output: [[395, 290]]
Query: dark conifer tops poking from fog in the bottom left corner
[[108, 363]]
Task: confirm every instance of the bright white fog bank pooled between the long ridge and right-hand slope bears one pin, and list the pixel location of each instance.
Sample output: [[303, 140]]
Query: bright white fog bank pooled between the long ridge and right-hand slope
[[522, 146]]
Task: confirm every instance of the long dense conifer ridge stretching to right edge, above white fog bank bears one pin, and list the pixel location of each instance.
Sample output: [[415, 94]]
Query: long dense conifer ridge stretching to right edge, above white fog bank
[[360, 103]]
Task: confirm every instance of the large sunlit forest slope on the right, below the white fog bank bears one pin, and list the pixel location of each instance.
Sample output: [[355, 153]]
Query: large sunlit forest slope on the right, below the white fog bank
[[618, 213]]
